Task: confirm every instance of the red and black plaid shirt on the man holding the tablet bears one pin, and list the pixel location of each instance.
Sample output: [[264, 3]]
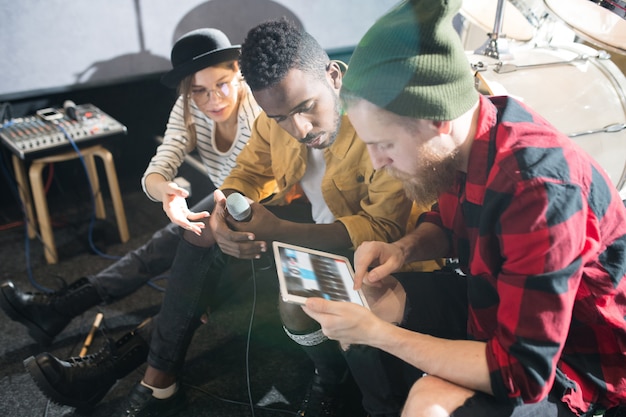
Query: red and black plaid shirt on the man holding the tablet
[[541, 232]]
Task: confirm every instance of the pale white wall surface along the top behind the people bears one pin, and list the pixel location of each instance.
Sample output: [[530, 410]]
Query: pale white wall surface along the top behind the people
[[49, 45]]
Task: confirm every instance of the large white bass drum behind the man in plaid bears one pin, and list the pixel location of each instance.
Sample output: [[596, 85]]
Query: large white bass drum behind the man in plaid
[[576, 88]]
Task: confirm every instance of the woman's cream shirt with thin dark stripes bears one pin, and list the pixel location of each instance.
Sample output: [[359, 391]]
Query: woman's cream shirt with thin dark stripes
[[176, 145]]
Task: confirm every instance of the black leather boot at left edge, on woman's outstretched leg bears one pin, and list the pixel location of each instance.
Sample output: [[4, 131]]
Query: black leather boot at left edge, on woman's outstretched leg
[[45, 315]]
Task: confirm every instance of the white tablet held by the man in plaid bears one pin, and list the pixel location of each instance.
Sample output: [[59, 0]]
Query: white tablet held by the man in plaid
[[304, 273]]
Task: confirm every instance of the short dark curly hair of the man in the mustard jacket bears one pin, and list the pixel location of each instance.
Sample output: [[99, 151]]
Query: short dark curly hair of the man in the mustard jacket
[[273, 48]]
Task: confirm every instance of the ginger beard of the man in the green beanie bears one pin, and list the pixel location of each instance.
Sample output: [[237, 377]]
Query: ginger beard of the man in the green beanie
[[435, 176]]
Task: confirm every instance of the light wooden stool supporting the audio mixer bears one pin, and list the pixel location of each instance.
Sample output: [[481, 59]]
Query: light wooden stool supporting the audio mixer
[[39, 195]]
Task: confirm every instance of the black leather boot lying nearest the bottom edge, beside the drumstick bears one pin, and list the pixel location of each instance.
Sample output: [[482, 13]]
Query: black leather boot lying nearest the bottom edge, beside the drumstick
[[82, 382]]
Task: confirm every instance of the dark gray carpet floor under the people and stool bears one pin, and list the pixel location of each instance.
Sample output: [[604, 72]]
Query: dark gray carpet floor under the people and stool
[[240, 358]]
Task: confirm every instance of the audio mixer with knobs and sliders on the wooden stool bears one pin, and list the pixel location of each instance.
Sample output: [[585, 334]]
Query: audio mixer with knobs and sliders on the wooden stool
[[51, 130]]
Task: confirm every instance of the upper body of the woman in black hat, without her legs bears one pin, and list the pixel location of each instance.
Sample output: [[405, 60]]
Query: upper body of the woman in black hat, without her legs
[[213, 113]]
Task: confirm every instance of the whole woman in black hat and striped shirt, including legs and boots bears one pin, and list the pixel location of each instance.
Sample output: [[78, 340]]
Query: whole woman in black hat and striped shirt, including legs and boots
[[214, 114]]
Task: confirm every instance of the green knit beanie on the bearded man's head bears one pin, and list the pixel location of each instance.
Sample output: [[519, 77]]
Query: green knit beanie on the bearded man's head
[[411, 62]]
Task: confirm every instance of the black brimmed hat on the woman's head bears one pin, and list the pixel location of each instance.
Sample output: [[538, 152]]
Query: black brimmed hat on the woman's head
[[196, 50]]
